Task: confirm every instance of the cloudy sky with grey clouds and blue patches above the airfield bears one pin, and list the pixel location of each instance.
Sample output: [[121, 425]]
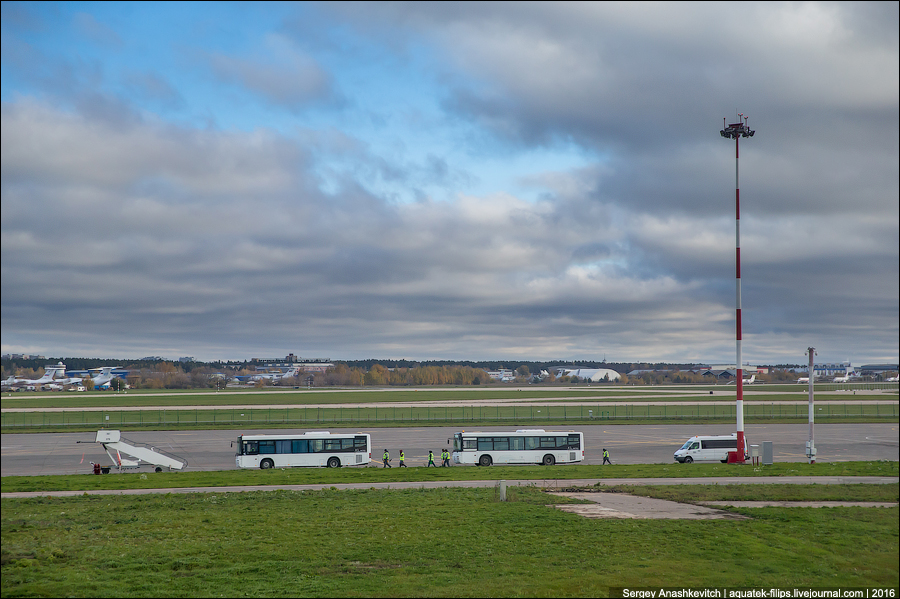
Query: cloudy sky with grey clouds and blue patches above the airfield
[[449, 181]]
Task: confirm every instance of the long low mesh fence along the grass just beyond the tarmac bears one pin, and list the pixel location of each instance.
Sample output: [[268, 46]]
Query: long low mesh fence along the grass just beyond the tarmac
[[302, 416]]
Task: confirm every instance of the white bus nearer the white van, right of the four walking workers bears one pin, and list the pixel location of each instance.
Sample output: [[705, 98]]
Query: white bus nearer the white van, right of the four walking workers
[[527, 446]]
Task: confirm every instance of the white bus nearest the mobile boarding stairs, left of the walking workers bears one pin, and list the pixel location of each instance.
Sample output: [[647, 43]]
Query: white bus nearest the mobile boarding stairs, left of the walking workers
[[314, 448]]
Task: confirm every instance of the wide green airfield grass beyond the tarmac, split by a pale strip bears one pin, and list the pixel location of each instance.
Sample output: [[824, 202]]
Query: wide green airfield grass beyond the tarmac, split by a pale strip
[[623, 405]]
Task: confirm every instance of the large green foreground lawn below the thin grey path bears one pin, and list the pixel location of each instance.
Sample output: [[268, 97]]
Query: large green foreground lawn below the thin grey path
[[441, 542]]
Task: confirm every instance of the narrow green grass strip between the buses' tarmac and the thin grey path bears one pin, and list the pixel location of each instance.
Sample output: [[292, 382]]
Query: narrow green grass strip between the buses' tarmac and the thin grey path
[[310, 476]]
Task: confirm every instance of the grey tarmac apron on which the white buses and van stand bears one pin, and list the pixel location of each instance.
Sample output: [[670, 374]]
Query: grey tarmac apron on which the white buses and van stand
[[60, 453]]
